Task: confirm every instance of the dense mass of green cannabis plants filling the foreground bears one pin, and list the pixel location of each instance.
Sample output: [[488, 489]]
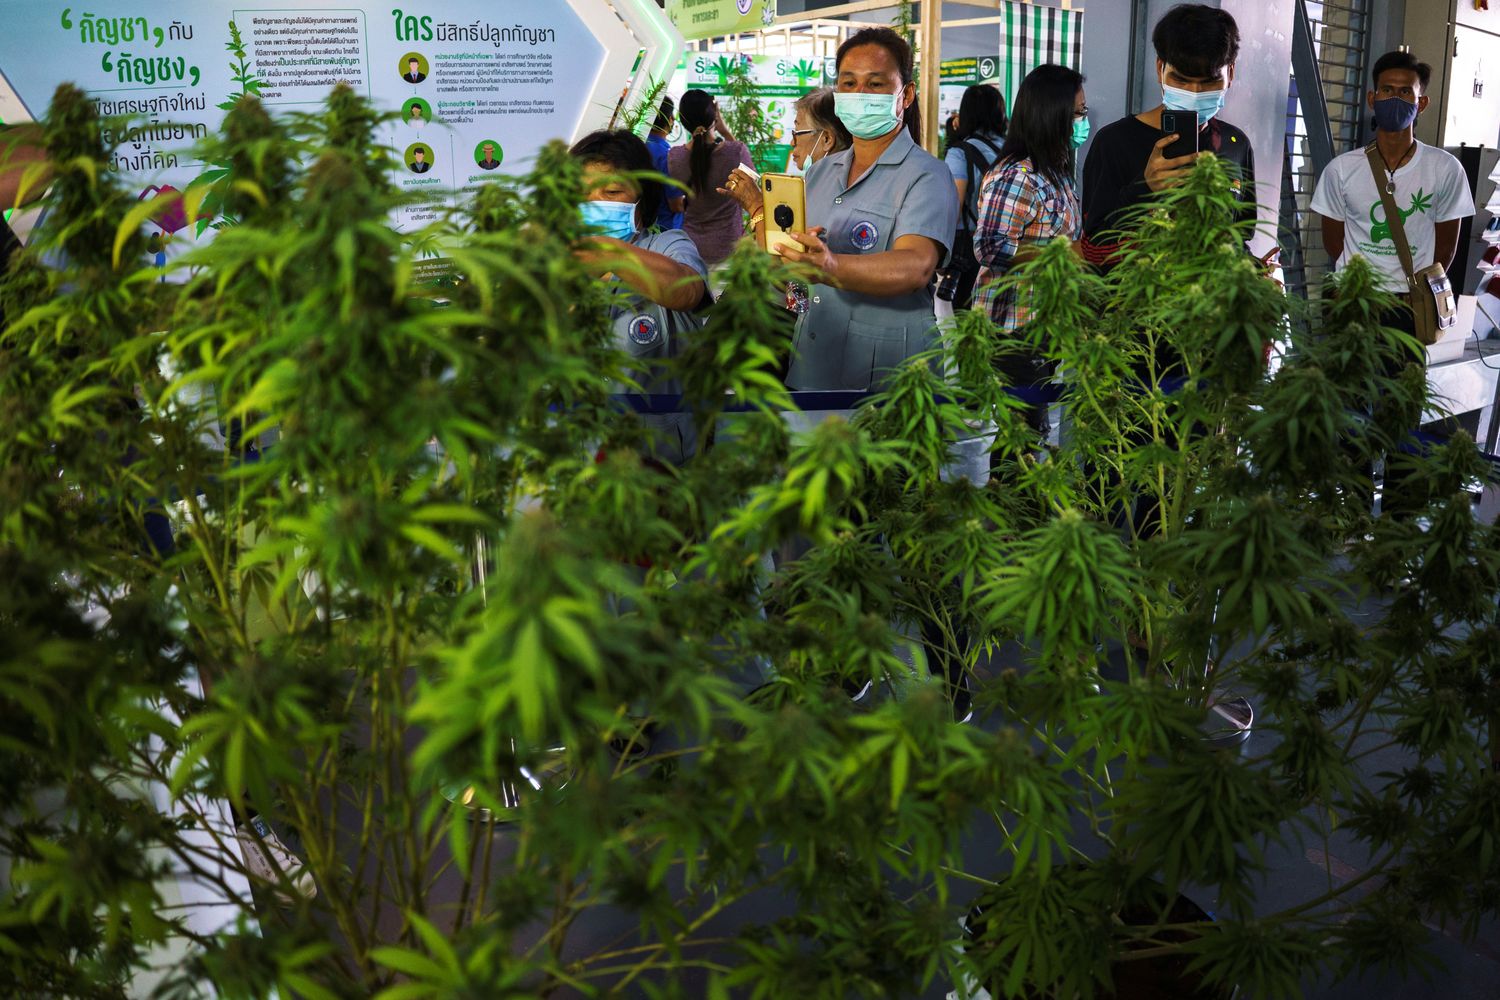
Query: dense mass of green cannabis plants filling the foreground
[[304, 537]]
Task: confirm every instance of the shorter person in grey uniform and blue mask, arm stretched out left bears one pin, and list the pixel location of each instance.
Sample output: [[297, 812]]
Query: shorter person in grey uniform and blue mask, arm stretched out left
[[659, 280]]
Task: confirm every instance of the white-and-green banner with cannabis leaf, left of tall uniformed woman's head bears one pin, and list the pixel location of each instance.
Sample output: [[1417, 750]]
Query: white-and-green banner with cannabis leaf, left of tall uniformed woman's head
[[779, 82]]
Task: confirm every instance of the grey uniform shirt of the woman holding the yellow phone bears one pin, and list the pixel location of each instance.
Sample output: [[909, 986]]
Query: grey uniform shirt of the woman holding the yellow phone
[[847, 340]]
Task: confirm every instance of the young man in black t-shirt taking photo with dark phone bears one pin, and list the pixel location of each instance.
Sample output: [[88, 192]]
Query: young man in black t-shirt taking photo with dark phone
[[1127, 164]]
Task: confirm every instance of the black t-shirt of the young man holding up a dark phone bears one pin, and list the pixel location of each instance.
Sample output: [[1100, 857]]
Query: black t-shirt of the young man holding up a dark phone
[[1115, 176]]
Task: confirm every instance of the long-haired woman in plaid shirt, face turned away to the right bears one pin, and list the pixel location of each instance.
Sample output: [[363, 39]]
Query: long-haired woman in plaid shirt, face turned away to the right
[[1027, 200]]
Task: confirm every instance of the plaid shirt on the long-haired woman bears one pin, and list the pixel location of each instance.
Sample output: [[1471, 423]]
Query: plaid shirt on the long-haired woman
[[1018, 208]]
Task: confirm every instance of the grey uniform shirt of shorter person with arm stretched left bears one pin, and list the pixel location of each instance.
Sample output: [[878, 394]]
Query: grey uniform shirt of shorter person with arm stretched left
[[650, 334]]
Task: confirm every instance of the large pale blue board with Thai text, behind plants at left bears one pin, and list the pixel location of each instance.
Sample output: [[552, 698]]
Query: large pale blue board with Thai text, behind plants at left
[[479, 85]]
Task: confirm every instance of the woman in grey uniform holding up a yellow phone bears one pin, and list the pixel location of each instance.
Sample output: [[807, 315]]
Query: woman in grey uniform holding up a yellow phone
[[883, 218]]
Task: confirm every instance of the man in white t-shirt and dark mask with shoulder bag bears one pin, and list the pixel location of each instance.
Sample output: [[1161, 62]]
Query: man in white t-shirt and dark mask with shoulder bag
[[1427, 184]]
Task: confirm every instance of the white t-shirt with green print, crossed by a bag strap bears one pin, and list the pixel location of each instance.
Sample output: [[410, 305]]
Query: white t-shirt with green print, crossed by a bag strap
[[1432, 188]]
